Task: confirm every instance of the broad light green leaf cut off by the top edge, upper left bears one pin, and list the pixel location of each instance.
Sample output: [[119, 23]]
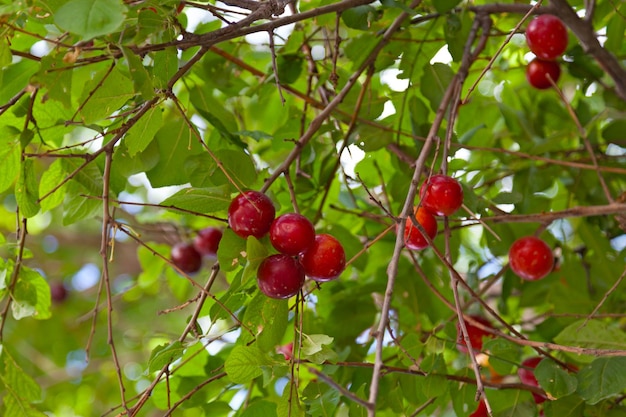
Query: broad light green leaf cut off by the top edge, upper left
[[90, 18]]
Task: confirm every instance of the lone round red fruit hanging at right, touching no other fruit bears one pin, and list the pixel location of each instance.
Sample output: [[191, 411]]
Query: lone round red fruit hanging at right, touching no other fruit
[[531, 258]]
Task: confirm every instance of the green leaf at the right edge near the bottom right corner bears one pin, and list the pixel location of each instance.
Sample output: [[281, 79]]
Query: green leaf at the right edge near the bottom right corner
[[602, 378]]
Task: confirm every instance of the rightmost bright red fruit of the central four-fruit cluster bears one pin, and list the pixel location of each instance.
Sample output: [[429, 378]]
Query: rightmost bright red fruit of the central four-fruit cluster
[[325, 259]]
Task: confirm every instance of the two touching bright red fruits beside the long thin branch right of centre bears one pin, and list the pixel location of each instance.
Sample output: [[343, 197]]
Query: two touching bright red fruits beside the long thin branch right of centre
[[440, 196]]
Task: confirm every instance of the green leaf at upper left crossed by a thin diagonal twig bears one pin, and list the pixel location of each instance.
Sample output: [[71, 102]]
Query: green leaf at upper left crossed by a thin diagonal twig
[[104, 95]]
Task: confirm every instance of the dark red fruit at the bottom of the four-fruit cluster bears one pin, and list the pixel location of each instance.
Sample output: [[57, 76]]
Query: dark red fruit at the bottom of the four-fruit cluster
[[280, 276]]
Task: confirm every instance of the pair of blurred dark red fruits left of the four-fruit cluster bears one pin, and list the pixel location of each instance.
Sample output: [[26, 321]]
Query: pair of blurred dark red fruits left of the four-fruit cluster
[[188, 256]]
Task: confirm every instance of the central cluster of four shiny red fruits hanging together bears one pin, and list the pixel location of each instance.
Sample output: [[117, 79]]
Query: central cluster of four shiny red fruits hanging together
[[302, 252]]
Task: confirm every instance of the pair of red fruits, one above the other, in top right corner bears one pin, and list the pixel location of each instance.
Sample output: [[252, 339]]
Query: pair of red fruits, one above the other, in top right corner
[[546, 37]]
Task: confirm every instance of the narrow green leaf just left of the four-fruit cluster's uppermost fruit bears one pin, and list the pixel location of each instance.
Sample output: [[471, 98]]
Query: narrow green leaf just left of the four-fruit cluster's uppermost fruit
[[200, 200]]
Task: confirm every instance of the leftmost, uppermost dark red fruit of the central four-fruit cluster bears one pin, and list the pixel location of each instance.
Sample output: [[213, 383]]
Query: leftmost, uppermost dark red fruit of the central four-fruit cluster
[[251, 214]]
